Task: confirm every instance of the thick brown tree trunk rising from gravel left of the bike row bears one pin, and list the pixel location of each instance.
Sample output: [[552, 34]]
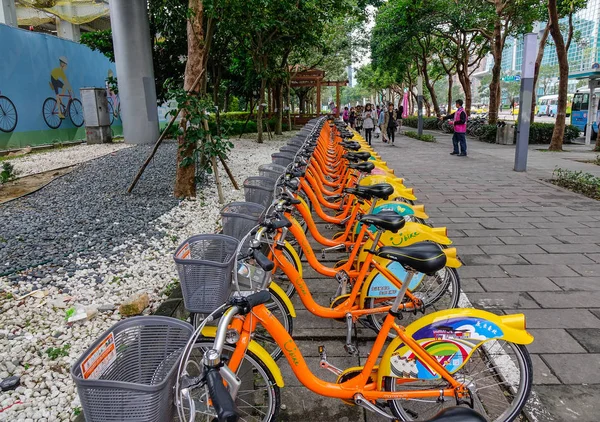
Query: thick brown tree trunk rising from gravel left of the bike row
[[185, 178]]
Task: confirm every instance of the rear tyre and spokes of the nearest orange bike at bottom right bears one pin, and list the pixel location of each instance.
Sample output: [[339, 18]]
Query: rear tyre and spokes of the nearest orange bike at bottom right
[[413, 410]]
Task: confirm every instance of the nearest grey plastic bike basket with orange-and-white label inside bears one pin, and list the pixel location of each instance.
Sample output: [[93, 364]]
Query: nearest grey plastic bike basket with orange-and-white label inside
[[139, 370]]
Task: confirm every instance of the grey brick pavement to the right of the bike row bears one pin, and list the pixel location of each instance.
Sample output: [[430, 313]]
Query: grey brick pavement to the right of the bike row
[[529, 247]]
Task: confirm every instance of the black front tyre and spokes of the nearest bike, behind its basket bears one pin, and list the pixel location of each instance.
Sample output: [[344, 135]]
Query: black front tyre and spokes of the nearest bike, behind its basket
[[250, 368]]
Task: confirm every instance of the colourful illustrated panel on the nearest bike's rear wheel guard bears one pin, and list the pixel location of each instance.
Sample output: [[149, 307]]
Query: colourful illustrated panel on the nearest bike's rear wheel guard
[[450, 342]]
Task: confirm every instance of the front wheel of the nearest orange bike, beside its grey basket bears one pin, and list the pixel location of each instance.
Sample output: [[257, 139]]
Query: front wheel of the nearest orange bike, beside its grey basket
[[258, 398]]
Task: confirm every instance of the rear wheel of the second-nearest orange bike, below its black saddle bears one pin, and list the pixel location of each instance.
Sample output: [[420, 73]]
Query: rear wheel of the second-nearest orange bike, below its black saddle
[[449, 287]]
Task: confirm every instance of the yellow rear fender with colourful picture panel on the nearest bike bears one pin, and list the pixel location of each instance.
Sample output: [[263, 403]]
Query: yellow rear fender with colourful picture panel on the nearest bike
[[451, 337]]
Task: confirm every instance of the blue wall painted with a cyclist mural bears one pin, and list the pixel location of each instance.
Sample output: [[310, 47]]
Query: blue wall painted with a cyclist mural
[[40, 78]]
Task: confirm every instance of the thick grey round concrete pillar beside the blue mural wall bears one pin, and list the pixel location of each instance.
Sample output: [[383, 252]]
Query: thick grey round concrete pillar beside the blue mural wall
[[135, 72]]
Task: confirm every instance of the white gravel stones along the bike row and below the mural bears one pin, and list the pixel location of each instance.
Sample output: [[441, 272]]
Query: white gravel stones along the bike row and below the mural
[[31, 327]]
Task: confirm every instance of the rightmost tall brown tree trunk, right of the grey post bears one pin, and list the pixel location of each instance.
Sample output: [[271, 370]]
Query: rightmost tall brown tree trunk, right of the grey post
[[563, 71]]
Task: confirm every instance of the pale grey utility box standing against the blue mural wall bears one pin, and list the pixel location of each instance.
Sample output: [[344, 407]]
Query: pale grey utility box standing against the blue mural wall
[[97, 118]]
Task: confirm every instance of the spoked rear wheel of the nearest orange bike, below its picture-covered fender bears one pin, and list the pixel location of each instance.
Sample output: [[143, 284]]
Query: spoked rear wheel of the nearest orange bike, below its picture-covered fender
[[498, 374]]
